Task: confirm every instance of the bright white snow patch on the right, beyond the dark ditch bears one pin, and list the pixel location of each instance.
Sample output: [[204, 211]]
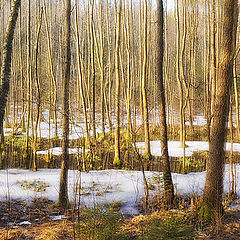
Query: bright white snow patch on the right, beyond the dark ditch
[[175, 149]]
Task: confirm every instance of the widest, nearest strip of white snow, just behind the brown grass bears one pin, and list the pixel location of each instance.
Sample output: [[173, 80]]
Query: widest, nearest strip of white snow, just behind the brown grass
[[99, 187]]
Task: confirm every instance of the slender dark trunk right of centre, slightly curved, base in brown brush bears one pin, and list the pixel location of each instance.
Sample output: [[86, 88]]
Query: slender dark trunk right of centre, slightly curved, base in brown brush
[[168, 185]]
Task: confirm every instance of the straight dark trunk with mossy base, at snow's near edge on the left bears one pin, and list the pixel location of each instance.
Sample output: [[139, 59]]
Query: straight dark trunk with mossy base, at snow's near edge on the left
[[63, 189]]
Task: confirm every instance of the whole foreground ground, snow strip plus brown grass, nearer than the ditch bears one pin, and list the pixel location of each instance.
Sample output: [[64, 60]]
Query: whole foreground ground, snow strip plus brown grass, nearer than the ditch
[[33, 214]]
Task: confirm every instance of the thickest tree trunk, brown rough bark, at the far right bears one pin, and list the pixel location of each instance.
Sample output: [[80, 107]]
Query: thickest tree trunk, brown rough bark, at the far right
[[216, 162]]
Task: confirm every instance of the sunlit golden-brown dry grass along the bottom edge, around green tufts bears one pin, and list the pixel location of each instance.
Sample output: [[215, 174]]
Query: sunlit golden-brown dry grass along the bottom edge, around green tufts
[[63, 229]]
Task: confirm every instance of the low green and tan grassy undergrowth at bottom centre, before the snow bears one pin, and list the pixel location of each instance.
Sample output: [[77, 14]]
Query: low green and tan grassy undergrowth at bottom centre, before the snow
[[101, 223]]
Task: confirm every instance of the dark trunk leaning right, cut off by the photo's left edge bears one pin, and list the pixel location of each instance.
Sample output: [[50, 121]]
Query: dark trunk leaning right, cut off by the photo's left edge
[[6, 61]]
